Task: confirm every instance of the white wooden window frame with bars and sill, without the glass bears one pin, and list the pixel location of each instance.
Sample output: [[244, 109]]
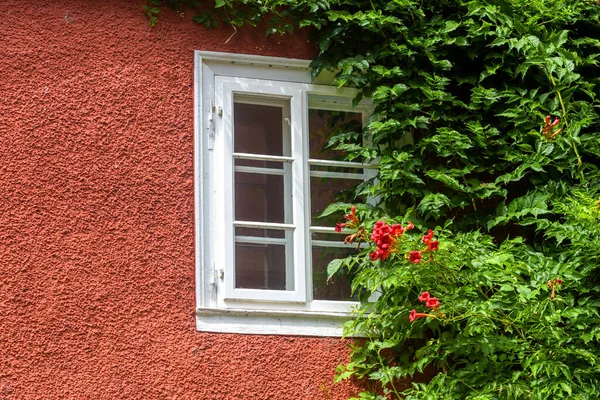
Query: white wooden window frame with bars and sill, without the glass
[[220, 307]]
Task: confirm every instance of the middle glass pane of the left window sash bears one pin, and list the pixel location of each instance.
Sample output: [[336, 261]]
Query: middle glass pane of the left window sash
[[259, 197]]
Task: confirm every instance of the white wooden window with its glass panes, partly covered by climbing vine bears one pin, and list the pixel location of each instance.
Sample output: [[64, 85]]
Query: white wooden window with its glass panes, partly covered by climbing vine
[[262, 174]]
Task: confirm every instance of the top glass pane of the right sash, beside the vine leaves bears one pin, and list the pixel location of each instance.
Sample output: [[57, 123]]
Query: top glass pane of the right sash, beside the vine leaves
[[324, 124]]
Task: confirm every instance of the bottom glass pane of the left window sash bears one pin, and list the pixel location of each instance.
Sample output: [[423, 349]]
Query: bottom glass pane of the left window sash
[[260, 259]]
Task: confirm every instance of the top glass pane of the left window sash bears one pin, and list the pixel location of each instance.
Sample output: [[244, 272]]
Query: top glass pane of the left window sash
[[259, 129]]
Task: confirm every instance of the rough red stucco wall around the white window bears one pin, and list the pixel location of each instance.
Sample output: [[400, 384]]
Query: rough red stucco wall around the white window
[[97, 215]]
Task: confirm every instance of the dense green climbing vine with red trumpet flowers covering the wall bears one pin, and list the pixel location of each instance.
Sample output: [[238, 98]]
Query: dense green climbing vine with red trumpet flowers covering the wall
[[486, 129]]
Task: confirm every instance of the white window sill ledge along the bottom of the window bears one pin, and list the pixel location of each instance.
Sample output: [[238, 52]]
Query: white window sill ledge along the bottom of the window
[[271, 322]]
